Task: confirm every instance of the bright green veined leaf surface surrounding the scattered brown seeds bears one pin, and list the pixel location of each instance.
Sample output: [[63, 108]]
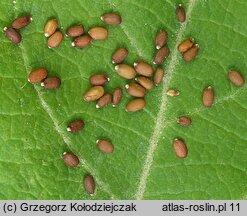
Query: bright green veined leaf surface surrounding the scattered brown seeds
[[143, 165]]
